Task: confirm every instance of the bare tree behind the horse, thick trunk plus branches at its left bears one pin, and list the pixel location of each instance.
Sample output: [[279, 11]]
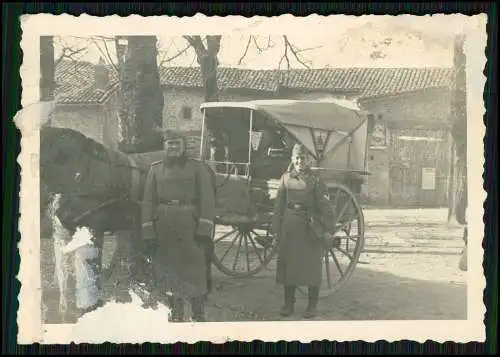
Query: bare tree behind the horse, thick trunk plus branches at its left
[[141, 99]]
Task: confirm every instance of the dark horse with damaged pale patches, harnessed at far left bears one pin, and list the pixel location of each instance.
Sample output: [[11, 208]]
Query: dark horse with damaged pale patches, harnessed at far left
[[85, 185]]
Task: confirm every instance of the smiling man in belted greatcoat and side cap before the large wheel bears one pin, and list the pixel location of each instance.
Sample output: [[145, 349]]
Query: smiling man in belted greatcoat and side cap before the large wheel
[[301, 204]]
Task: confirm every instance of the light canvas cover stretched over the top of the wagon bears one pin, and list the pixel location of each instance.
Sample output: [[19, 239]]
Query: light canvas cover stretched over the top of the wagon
[[306, 120]]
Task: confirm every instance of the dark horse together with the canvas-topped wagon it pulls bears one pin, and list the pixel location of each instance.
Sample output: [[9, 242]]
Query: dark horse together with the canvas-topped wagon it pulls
[[248, 146]]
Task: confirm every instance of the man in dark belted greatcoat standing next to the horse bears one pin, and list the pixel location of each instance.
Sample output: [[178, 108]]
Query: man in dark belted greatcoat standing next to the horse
[[177, 221]]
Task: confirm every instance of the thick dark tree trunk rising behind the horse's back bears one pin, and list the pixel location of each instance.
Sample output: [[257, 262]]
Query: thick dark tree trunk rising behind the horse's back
[[141, 110]]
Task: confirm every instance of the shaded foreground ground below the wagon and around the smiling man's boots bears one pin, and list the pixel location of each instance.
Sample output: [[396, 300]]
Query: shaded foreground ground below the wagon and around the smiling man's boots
[[368, 295]]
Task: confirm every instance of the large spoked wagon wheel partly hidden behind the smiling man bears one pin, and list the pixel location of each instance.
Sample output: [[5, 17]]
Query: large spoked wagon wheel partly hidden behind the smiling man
[[342, 253]]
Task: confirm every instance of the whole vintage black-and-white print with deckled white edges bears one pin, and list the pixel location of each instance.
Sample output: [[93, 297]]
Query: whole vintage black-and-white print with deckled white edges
[[308, 175]]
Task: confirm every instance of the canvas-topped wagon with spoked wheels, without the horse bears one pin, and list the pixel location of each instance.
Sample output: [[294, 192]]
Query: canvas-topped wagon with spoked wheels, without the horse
[[248, 145]]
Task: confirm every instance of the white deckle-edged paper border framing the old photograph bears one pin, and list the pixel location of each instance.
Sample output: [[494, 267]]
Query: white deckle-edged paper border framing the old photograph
[[30, 326]]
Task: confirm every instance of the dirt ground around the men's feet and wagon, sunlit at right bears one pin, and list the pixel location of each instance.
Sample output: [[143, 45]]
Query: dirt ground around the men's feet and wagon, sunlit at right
[[407, 271]]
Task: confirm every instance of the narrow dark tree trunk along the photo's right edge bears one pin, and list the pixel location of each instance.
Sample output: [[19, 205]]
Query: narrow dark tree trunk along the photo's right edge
[[459, 132]]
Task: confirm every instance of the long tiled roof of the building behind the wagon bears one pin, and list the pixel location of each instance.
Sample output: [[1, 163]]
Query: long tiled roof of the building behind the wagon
[[77, 85]]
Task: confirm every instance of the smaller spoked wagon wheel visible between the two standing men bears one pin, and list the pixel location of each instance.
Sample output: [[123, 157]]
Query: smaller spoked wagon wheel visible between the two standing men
[[243, 249]]
